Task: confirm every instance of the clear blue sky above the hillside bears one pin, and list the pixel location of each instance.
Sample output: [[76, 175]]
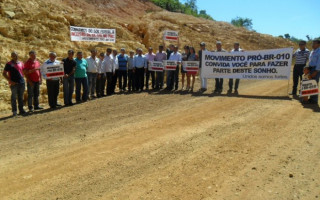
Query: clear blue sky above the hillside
[[275, 17]]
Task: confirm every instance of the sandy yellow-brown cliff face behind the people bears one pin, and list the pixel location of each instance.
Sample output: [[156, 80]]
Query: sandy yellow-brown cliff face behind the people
[[44, 26]]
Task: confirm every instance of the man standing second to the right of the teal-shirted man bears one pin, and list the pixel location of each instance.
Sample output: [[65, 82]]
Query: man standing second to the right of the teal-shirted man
[[101, 79]]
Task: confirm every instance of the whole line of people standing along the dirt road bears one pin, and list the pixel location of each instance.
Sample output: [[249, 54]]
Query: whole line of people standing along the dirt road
[[98, 75]]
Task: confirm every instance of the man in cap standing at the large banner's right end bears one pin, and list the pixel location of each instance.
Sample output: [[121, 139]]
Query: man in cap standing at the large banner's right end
[[301, 55]]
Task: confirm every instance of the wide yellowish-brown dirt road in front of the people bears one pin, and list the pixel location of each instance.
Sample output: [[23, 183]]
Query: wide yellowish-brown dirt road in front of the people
[[258, 145]]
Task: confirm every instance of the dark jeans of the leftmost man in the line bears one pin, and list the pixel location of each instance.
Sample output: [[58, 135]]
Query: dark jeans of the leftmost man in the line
[[17, 90]]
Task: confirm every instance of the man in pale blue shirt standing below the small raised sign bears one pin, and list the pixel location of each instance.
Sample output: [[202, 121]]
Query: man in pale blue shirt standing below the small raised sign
[[173, 75]]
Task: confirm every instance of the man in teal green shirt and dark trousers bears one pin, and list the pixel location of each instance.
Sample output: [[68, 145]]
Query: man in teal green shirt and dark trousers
[[81, 78]]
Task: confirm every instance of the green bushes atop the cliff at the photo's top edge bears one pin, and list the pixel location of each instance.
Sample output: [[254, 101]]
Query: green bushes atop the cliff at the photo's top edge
[[189, 7]]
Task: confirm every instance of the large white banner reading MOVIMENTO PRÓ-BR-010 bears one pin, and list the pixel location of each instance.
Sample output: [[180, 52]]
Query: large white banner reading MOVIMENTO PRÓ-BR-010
[[274, 64]]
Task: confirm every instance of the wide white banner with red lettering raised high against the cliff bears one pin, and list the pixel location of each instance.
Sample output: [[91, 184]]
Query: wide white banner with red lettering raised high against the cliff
[[92, 34]]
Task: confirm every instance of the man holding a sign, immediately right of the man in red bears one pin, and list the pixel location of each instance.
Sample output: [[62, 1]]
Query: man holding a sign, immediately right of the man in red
[[53, 84]]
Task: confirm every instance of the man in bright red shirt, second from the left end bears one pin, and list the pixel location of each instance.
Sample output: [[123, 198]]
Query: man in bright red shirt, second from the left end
[[32, 73]]
